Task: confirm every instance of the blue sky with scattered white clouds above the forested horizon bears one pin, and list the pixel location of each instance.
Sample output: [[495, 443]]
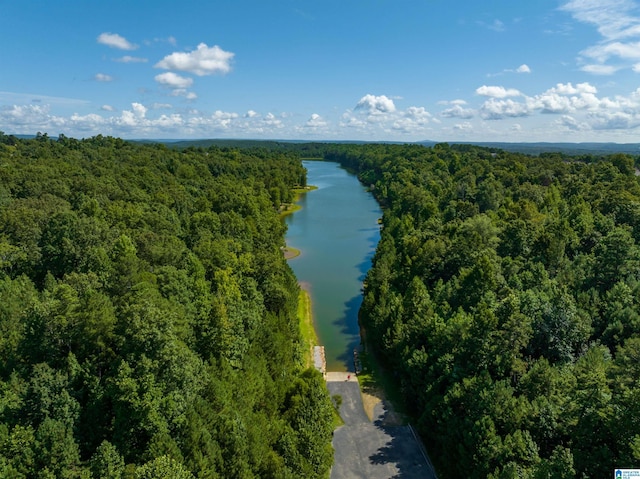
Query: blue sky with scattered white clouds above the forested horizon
[[403, 70]]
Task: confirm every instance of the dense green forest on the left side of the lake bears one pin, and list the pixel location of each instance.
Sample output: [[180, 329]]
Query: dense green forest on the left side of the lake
[[148, 322]]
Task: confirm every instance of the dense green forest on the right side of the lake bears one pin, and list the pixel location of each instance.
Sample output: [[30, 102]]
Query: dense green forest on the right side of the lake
[[504, 300]]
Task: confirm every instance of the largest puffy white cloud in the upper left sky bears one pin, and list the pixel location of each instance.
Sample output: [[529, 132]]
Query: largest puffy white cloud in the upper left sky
[[202, 61]]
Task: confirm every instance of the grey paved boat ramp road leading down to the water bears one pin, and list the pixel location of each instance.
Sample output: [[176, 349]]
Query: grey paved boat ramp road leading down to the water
[[371, 450]]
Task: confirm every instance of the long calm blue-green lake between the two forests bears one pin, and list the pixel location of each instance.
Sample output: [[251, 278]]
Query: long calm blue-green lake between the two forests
[[337, 232]]
